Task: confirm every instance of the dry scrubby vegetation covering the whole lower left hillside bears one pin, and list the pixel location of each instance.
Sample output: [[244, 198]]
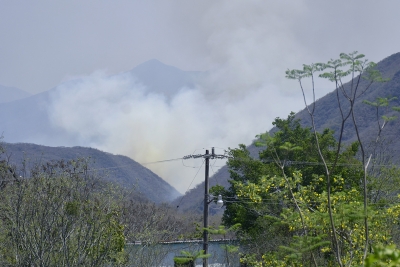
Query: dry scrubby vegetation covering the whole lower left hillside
[[65, 213]]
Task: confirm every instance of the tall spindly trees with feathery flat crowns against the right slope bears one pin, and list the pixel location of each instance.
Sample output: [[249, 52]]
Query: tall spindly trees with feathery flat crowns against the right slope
[[363, 74]]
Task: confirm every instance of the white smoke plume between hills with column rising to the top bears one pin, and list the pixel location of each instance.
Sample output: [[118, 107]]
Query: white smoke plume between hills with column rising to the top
[[241, 95]]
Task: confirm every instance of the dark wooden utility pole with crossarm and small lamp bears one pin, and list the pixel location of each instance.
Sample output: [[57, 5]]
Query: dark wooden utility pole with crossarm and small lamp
[[207, 201]]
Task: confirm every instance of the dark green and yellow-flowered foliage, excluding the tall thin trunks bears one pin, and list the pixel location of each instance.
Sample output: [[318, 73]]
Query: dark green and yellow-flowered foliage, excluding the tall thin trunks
[[280, 200]]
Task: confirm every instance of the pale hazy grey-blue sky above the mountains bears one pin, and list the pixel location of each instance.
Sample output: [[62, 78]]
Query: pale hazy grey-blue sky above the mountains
[[45, 42]]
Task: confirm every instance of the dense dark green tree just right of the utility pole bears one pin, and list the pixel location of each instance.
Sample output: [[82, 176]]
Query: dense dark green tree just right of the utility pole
[[289, 149]]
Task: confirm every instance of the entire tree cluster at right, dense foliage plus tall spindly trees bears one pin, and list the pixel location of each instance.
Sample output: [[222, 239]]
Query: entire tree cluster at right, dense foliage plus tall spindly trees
[[310, 198]]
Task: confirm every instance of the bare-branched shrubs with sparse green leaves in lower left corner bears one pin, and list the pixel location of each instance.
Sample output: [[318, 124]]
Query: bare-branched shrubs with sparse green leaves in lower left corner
[[60, 216]]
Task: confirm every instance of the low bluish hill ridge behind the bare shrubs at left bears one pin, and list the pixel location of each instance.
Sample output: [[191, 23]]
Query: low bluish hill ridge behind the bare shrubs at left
[[116, 168]]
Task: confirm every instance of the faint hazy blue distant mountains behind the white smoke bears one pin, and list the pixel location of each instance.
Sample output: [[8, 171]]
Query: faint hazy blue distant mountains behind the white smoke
[[29, 119]]
